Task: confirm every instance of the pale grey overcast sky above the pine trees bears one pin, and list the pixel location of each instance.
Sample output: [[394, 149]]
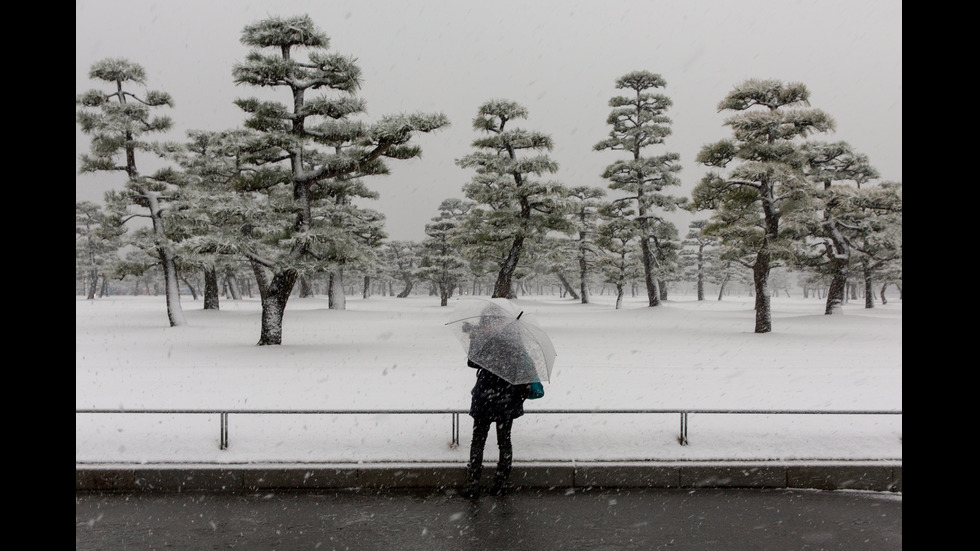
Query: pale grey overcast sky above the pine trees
[[559, 58]]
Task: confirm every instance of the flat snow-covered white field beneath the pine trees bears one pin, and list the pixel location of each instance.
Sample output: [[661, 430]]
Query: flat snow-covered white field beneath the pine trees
[[391, 353]]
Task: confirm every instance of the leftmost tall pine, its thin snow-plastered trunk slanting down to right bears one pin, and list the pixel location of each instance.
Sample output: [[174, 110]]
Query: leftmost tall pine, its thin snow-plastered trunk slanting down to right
[[118, 120]]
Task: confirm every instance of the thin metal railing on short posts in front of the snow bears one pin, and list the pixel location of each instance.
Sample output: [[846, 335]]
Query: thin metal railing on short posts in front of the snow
[[455, 413]]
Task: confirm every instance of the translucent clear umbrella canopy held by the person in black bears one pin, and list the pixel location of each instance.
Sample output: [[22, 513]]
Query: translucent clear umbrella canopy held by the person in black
[[499, 337]]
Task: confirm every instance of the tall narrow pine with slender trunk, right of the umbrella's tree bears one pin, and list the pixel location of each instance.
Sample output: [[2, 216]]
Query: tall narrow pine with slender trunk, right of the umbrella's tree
[[638, 121]]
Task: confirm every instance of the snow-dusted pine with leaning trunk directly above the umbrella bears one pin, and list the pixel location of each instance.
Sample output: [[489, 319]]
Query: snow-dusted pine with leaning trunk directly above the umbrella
[[514, 206]]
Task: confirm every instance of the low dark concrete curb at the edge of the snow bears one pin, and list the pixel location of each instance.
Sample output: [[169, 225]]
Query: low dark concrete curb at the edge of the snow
[[883, 476]]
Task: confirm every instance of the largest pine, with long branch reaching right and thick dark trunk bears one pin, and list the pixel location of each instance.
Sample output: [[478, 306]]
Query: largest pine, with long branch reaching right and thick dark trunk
[[304, 145]]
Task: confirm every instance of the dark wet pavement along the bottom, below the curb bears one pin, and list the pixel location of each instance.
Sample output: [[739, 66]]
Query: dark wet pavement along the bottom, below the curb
[[729, 519]]
